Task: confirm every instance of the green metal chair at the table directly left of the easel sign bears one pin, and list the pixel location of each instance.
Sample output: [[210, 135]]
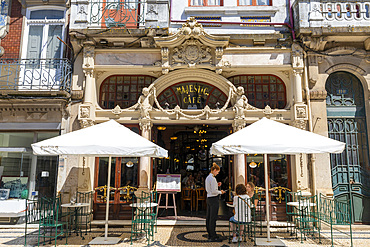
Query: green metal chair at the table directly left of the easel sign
[[143, 216]]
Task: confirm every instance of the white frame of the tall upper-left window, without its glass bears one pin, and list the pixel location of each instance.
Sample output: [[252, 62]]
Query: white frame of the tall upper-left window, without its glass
[[48, 26]]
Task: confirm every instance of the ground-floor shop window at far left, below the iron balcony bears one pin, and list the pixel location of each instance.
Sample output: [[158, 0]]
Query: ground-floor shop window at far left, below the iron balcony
[[16, 160]]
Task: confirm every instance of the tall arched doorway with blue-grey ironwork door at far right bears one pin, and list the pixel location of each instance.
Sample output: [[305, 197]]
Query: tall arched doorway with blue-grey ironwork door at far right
[[347, 123]]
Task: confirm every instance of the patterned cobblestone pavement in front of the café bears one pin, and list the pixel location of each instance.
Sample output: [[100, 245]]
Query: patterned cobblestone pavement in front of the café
[[182, 236]]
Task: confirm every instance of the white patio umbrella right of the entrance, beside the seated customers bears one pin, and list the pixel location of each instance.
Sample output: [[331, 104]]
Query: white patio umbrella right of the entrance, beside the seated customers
[[270, 137]]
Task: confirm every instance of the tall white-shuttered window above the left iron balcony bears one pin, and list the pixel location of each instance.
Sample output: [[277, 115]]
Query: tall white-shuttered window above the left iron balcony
[[44, 31]]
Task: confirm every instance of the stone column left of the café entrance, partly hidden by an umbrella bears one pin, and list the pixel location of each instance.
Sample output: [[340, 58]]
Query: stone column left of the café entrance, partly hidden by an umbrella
[[144, 164]]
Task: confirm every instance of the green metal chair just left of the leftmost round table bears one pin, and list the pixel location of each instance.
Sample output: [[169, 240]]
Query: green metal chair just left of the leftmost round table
[[50, 225]]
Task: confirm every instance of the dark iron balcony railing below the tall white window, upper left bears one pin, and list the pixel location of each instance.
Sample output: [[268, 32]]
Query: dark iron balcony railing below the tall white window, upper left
[[35, 74]]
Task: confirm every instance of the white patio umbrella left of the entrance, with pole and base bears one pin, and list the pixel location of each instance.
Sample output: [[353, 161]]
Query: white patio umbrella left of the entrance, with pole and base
[[108, 139]]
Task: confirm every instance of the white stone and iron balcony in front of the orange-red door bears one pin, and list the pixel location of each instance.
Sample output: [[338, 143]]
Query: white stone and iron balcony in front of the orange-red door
[[119, 14]]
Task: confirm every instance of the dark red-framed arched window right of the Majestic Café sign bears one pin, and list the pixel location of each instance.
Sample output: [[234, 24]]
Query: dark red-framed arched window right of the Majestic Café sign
[[262, 90]]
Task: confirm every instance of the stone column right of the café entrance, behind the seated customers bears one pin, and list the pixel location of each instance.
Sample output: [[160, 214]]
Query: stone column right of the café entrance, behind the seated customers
[[239, 159]]
